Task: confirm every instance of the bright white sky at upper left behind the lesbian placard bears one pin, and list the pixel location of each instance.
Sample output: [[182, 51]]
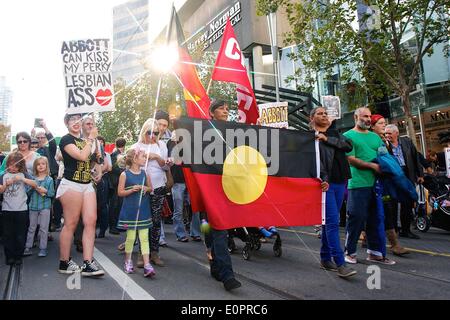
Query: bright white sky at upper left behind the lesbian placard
[[31, 34]]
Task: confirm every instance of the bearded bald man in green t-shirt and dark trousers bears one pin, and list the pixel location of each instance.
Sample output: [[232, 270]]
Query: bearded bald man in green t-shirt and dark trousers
[[361, 203]]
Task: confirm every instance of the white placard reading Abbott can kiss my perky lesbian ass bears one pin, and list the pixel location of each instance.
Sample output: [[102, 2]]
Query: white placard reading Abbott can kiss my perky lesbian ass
[[87, 74]]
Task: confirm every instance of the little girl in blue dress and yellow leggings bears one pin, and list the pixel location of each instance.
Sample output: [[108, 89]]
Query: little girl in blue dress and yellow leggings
[[135, 216]]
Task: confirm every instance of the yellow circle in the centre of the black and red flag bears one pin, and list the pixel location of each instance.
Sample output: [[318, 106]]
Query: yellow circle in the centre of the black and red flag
[[244, 175]]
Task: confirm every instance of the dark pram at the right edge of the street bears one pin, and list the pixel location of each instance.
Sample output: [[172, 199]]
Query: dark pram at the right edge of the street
[[434, 203]]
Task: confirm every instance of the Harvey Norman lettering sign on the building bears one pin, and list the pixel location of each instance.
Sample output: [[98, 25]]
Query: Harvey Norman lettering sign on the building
[[214, 30]]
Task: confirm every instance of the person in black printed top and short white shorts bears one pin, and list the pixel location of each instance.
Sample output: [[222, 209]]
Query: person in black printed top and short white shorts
[[77, 196]]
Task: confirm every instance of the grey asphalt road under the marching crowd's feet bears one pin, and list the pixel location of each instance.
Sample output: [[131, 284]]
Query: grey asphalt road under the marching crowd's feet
[[424, 274]]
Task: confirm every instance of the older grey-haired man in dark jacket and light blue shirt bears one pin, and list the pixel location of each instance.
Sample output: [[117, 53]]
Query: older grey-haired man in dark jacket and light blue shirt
[[407, 156]]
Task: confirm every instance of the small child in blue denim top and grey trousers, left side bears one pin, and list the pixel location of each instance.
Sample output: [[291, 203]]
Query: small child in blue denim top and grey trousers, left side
[[40, 205]]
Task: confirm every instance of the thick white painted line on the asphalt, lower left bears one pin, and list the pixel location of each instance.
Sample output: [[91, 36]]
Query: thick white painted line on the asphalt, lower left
[[123, 280]]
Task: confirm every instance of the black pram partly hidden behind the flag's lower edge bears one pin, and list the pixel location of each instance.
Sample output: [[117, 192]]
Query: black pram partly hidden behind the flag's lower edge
[[252, 238]]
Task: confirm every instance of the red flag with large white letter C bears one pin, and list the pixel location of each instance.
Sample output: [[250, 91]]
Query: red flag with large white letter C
[[230, 67]]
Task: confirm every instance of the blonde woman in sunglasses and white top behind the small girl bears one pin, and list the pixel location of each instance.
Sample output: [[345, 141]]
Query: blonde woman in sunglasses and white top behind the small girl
[[157, 165]]
